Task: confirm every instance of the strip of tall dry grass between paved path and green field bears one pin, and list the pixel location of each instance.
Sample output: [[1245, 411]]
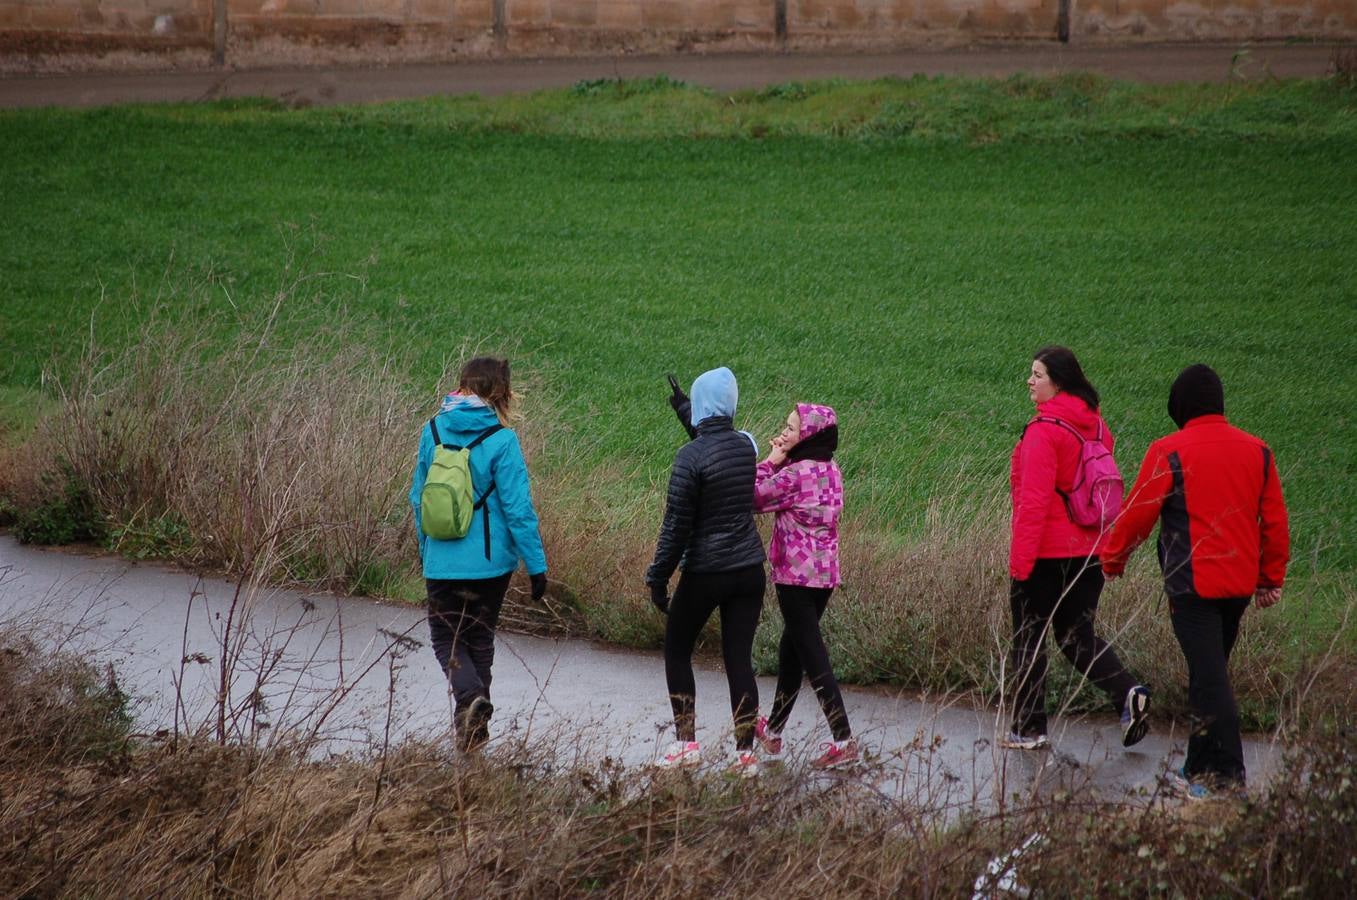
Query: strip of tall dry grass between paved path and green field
[[235, 446]]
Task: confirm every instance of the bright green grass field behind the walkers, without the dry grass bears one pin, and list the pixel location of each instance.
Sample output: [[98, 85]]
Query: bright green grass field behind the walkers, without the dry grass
[[896, 249]]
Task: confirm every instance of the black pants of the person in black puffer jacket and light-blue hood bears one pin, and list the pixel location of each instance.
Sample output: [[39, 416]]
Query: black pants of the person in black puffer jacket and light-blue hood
[[739, 595]]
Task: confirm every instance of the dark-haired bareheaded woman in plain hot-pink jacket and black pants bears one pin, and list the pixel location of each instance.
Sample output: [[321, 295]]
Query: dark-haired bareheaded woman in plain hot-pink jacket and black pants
[[1054, 563]]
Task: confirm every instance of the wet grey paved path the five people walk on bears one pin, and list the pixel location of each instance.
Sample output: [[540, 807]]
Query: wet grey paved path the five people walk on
[[326, 664]]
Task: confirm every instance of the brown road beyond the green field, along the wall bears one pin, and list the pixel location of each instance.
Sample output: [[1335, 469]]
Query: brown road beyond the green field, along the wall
[[336, 85]]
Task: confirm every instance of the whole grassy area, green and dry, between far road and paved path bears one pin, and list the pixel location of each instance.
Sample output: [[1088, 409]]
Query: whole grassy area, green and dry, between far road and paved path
[[896, 249]]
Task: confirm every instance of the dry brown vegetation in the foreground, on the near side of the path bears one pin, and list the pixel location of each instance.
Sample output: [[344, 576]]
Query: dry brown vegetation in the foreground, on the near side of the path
[[82, 815]]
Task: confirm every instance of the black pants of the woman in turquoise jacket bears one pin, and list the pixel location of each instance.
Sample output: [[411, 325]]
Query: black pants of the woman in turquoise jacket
[[463, 616]]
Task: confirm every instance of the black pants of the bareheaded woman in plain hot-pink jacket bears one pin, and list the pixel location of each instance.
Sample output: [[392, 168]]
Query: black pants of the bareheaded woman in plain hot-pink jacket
[[1062, 595]]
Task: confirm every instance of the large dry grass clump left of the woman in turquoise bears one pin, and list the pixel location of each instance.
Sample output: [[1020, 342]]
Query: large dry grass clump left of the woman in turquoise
[[221, 454]]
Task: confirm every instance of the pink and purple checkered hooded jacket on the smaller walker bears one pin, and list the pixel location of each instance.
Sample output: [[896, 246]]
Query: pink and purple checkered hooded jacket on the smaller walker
[[808, 496]]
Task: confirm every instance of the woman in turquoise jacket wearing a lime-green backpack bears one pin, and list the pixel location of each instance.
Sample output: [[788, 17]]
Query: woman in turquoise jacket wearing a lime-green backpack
[[467, 578]]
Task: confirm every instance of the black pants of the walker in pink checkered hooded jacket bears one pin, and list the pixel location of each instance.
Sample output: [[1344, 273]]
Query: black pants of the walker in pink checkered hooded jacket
[[803, 652]]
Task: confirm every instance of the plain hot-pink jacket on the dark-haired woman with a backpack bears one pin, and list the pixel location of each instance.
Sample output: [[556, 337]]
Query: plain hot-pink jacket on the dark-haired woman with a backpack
[[1046, 460]]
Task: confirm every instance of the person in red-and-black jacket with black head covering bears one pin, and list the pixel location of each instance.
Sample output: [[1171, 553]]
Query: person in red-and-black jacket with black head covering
[[1223, 541]]
